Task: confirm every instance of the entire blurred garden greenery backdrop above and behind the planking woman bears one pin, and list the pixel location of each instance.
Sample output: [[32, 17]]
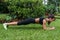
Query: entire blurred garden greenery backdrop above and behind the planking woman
[[14, 10]]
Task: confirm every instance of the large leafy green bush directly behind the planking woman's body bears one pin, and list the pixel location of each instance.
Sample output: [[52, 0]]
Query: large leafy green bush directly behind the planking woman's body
[[26, 9]]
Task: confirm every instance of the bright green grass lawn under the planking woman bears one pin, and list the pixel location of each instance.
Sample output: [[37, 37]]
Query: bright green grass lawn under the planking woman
[[30, 32]]
